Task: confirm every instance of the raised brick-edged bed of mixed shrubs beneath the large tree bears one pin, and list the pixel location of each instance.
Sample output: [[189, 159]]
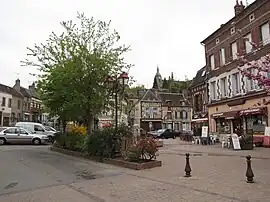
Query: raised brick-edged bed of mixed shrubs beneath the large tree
[[106, 144]]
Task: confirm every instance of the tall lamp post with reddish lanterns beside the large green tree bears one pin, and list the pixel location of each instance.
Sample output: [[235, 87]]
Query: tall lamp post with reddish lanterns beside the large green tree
[[117, 85]]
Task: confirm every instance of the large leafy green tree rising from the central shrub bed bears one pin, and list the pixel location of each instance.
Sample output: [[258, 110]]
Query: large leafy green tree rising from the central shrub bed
[[75, 66]]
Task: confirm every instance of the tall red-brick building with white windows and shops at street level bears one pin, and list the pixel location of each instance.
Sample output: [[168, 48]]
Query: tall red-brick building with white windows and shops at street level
[[235, 102]]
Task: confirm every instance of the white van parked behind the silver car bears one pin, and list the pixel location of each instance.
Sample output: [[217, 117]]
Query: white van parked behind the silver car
[[37, 128]]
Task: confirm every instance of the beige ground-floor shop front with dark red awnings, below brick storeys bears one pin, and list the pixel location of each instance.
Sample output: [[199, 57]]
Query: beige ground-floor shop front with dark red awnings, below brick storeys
[[239, 116]]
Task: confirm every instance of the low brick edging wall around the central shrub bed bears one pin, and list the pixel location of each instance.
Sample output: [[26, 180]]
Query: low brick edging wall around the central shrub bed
[[116, 162]]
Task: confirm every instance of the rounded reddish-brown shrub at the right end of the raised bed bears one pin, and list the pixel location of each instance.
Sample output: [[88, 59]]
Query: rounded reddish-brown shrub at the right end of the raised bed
[[144, 149]]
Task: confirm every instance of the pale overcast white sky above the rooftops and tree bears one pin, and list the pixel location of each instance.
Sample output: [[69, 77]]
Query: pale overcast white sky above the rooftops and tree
[[163, 33]]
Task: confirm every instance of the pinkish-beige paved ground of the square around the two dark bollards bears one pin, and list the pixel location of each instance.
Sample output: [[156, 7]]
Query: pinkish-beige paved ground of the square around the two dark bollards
[[214, 178]]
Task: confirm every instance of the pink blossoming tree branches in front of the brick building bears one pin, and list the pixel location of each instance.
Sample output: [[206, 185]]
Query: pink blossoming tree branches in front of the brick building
[[258, 70]]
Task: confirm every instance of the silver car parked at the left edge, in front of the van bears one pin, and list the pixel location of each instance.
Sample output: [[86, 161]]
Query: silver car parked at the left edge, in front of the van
[[17, 135]]
